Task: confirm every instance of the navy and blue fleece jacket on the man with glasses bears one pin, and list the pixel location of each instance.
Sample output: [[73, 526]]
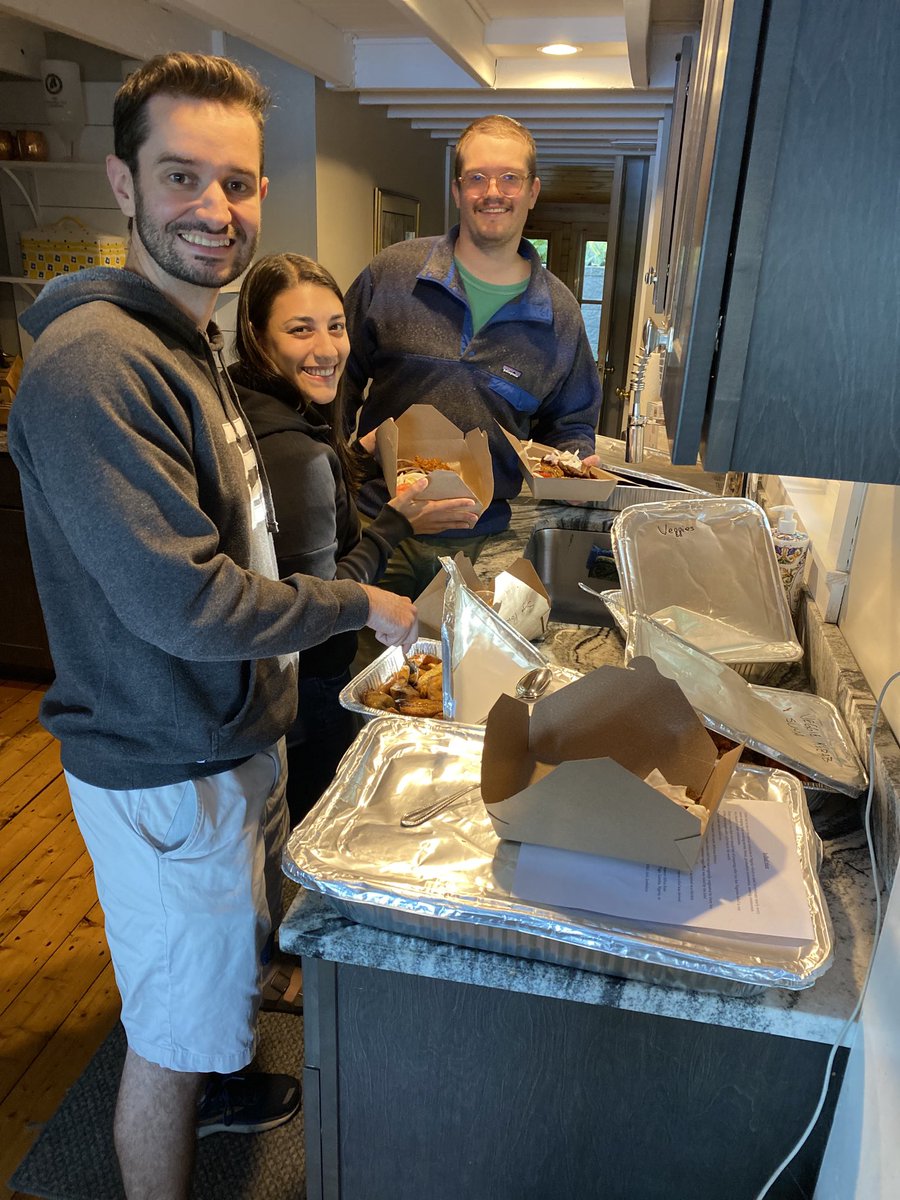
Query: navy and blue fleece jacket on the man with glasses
[[530, 368]]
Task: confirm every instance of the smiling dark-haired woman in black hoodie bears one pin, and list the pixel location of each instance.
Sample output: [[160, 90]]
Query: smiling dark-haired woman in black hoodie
[[292, 346]]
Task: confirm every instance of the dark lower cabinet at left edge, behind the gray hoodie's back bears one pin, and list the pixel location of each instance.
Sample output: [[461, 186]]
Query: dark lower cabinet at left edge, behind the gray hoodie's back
[[23, 639]]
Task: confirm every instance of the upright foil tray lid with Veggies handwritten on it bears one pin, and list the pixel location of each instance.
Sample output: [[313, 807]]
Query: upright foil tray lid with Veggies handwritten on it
[[706, 569]]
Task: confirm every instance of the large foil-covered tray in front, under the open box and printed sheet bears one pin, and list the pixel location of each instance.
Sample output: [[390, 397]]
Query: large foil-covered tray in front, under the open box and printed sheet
[[451, 880]]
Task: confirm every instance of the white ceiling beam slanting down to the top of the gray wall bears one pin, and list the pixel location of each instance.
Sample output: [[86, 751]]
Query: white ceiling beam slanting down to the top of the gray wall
[[283, 28]]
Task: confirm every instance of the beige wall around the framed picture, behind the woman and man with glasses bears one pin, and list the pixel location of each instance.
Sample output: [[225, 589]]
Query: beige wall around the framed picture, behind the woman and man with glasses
[[361, 149]]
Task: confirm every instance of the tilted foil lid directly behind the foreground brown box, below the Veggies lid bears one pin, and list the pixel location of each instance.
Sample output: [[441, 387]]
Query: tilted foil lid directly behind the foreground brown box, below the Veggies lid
[[800, 730]]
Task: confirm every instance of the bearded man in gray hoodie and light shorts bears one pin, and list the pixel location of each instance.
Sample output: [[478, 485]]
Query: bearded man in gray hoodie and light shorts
[[173, 640]]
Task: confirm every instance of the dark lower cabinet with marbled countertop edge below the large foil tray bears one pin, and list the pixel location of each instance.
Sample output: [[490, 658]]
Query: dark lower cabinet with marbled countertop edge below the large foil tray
[[489, 1076]]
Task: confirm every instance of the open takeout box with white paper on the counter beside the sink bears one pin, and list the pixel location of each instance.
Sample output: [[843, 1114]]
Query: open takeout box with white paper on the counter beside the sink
[[517, 593]]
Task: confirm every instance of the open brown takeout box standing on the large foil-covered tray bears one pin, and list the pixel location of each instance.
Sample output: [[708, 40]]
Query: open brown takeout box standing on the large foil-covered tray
[[571, 773]]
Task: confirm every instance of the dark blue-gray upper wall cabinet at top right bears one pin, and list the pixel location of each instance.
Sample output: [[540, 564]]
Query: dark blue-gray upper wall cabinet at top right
[[784, 353]]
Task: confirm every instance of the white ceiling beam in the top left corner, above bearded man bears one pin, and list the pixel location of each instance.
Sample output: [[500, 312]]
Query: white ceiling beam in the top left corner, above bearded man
[[131, 28]]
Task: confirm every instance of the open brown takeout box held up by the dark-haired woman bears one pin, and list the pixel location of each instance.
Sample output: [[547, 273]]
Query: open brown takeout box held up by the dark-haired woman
[[422, 430]]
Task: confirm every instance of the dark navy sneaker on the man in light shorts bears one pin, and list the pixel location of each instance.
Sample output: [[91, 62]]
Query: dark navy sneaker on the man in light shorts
[[248, 1103]]
